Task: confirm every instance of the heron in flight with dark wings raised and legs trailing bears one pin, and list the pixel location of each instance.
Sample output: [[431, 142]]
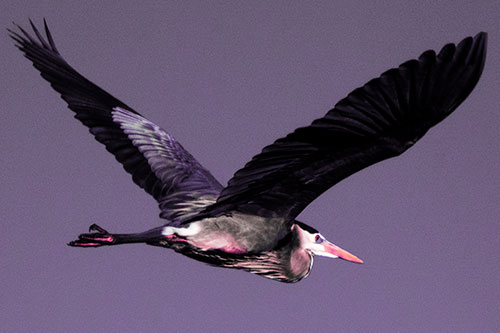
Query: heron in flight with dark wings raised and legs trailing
[[250, 224]]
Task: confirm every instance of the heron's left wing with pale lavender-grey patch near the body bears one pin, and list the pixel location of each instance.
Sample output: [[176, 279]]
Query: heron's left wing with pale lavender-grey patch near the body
[[157, 163]]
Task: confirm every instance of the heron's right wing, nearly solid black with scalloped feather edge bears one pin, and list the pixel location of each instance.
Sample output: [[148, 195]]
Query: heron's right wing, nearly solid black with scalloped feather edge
[[377, 121]]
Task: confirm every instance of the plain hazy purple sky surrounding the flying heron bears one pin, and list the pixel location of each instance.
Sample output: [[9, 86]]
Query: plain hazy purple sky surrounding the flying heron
[[227, 78]]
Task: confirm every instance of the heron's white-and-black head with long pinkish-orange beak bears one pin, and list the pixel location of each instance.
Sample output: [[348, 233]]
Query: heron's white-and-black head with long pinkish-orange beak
[[311, 240]]
